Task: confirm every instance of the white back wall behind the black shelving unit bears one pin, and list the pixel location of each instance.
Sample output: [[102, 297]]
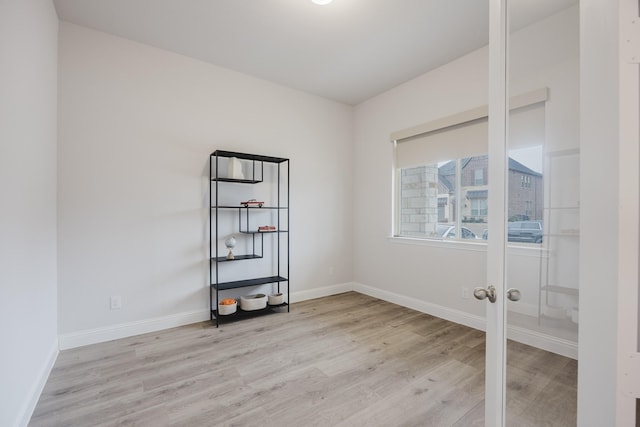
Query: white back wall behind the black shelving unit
[[137, 125]]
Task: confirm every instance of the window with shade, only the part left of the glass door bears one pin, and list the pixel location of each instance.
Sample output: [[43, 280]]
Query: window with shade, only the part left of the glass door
[[436, 172]]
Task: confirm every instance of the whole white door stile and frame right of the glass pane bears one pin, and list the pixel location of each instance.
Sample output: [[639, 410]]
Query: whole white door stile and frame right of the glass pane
[[609, 284]]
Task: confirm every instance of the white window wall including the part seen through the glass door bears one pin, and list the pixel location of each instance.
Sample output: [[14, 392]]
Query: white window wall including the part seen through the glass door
[[543, 55]]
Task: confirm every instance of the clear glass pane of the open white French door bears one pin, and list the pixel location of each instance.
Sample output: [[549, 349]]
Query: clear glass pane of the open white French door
[[542, 209]]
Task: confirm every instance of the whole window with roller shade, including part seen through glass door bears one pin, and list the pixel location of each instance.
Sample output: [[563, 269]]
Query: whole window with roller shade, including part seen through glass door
[[440, 180]]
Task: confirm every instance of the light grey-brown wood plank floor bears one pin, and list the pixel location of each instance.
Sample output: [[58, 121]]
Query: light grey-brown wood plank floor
[[344, 360]]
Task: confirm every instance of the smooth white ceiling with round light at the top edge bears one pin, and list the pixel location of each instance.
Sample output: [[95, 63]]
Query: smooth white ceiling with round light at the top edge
[[348, 51]]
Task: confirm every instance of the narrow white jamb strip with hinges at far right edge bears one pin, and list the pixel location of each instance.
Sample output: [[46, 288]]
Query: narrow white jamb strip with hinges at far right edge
[[628, 230]]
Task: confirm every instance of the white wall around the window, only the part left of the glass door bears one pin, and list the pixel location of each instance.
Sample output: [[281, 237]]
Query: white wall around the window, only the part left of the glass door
[[415, 271]]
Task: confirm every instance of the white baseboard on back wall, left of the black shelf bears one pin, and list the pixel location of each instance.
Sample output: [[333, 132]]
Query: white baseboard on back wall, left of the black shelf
[[124, 330]]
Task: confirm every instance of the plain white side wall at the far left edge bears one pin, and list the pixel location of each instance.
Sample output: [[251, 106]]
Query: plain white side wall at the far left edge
[[28, 272]]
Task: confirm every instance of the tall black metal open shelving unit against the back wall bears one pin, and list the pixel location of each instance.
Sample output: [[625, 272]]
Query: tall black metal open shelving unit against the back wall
[[280, 274]]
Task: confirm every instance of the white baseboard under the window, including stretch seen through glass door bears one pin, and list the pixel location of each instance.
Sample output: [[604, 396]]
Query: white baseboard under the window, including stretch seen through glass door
[[525, 336]]
